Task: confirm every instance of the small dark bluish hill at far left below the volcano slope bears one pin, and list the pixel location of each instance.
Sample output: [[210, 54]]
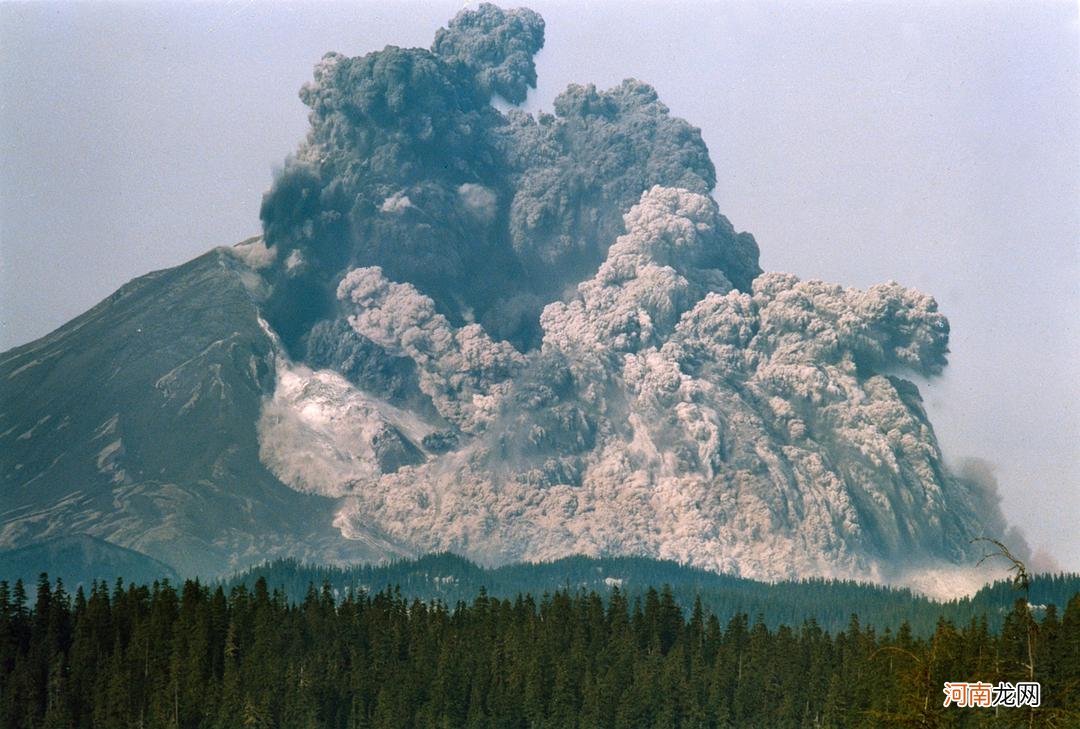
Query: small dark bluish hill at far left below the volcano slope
[[80, 560]]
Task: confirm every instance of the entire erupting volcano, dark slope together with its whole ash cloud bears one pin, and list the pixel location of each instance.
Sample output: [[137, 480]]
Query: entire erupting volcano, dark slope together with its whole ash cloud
[[507, 335]]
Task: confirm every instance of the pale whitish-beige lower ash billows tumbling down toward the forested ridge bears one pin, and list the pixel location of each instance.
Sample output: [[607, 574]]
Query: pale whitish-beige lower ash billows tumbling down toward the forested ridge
[[668, 414]]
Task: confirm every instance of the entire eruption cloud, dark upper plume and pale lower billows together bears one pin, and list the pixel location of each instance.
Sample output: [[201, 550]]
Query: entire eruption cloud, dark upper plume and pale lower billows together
[[536, 335]]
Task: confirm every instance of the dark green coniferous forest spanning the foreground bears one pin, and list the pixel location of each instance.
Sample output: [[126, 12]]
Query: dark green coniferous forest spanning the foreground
[[138, 656]]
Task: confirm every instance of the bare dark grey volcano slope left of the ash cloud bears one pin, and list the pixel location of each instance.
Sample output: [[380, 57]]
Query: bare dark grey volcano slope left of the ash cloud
[[136, 423]]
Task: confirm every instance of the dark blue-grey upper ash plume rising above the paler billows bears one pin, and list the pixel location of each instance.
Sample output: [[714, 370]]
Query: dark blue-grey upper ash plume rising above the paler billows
[[410, 168]]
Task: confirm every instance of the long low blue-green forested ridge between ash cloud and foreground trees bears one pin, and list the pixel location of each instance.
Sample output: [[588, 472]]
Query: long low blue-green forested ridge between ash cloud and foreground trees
[[450, 578]]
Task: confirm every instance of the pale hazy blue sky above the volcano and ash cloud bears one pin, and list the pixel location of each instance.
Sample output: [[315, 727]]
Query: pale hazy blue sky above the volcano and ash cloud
[[935, 144]]
